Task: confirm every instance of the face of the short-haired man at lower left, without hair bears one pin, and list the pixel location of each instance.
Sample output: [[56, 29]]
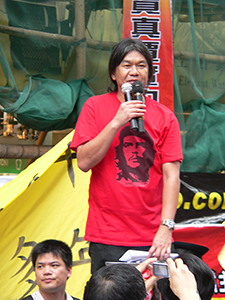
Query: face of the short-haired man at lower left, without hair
[[51, 273]]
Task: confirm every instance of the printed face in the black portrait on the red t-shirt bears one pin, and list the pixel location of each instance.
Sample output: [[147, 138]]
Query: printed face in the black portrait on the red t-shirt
[[133, 149]]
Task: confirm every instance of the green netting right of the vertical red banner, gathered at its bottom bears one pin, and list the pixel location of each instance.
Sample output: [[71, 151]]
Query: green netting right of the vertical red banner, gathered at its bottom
[[199, 82]]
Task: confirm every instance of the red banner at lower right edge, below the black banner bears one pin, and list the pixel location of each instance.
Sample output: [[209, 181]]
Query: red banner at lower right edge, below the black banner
[[212, 237]]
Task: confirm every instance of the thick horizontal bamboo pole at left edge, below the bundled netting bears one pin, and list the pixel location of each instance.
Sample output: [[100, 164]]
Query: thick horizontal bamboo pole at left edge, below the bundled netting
[[22, 151]]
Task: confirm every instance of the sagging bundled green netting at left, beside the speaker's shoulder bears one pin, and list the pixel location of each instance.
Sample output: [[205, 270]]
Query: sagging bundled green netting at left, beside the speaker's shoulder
[[48, 104]]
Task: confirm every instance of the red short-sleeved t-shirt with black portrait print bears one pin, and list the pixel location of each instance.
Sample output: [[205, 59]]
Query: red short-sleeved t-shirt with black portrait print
[[125, 192]]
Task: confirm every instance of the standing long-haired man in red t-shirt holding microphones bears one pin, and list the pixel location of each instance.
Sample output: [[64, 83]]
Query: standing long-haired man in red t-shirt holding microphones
[[132, 201]]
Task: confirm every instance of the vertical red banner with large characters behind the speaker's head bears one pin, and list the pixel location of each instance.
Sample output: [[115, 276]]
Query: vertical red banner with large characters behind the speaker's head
[[151, 22]]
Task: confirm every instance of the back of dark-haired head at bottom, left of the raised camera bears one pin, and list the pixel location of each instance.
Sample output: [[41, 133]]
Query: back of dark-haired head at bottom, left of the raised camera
[[116, 281]]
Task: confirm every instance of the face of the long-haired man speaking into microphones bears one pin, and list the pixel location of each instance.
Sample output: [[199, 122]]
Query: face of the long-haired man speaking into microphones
[[132, 68]]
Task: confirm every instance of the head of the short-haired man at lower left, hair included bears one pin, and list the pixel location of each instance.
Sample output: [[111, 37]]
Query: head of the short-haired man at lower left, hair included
[[52, 261]]
